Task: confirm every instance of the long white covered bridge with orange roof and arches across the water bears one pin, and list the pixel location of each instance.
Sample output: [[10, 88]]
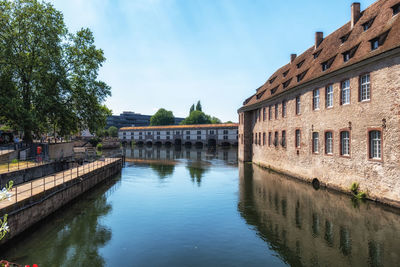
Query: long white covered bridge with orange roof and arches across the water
[[188, 135]]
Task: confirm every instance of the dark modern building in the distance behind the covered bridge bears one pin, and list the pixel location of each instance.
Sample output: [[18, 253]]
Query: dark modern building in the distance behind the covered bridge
[[132, 119]]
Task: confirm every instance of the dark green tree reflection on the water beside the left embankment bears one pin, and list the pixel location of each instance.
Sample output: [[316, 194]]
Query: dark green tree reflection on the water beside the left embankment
[[77, 234]]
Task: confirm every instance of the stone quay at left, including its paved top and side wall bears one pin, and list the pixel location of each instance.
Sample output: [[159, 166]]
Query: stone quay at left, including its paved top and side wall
[[31, 202]]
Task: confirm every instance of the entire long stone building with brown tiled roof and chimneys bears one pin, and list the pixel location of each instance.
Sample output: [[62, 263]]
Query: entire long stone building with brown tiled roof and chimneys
[[332, 113]]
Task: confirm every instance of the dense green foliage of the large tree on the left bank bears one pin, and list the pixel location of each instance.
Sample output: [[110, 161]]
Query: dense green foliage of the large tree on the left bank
[[48, 76]]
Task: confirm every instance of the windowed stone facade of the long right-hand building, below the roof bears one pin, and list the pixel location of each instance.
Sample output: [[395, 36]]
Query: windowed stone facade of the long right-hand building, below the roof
[[313, 158]]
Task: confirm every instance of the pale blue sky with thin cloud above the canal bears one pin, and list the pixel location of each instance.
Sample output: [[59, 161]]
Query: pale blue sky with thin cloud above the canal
[[171, 53]]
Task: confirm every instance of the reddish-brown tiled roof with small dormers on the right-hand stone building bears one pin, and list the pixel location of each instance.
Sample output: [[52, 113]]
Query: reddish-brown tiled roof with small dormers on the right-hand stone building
[[305, 67]]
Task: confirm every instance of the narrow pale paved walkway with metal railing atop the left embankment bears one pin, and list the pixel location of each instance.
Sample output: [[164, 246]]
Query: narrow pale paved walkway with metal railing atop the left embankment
[[37, 186]]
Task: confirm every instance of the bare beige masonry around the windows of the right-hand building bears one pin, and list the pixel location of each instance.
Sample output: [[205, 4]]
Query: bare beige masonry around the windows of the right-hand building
[[380, 179]]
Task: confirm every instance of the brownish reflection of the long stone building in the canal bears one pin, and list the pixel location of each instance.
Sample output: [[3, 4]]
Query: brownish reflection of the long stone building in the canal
[[317, 228]]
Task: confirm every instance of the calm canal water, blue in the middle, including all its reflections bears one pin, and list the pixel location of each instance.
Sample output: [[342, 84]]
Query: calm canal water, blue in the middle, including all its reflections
[[199, 207]]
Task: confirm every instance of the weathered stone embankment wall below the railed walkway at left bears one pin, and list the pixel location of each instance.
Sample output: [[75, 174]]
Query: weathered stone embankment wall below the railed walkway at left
[[26, 213]]
